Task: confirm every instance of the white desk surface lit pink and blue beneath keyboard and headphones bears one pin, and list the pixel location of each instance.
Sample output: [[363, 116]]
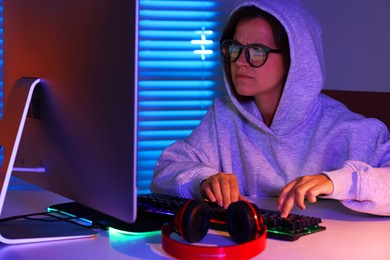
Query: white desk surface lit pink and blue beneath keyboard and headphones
[[349, 235]]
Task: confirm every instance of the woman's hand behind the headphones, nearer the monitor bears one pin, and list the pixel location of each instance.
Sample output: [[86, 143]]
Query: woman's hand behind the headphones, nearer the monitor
[[221, 188]]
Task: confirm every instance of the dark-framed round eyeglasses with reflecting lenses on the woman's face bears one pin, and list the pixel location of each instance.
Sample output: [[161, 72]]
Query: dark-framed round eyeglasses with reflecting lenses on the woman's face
[[256, 54]]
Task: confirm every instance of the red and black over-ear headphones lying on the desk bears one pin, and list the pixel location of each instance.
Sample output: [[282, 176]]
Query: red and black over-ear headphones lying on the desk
[[244, 223]]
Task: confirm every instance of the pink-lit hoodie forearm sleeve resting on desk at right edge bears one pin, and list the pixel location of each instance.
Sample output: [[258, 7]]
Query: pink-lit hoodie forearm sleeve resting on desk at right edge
[[361, 187]]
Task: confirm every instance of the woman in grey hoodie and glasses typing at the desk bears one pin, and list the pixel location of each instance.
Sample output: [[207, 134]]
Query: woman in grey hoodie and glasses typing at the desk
[[275, 134]]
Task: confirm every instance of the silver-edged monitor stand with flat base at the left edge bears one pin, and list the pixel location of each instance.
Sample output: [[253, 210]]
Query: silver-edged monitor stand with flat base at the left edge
[[11, 128]]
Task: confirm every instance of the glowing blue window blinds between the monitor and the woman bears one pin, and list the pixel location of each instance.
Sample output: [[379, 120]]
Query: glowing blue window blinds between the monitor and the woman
[[180, 73]]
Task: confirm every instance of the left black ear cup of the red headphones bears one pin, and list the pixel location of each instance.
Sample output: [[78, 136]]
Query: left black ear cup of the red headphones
[[192, 220]]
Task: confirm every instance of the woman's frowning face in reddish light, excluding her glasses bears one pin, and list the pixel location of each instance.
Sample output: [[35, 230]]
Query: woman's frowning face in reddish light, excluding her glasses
[[264, 83]]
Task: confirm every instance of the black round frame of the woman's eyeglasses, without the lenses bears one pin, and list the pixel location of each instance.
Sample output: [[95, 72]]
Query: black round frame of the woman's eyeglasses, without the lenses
[[267, 50]]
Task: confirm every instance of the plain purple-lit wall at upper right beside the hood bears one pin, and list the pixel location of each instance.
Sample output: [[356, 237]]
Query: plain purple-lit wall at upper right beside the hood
[[356, 38]]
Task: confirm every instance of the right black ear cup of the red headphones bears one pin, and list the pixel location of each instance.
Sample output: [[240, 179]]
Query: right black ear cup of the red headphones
[[243, 221]]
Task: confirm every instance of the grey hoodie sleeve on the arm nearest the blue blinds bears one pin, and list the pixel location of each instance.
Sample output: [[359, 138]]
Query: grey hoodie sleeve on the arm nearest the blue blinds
[[183, 165]]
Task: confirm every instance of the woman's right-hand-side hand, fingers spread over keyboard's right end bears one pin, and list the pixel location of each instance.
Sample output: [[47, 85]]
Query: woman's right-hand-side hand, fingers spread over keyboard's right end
[[308, 187]]
